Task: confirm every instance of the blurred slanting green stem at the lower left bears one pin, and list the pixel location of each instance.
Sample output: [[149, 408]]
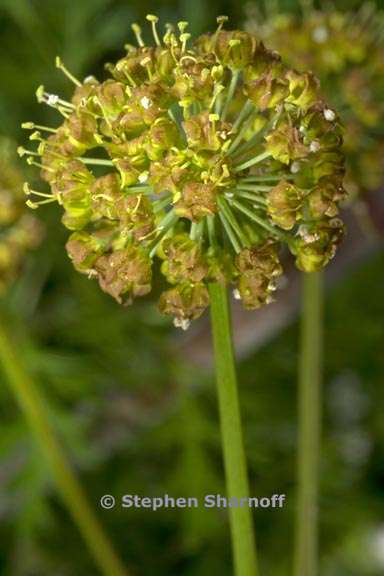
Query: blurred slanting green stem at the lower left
[[36, 413]]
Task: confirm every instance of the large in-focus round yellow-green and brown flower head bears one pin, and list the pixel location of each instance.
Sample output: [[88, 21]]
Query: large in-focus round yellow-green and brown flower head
[[206, 156]]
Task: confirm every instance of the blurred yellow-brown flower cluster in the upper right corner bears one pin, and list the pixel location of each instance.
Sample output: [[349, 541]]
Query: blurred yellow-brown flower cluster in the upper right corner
[[346, 51]]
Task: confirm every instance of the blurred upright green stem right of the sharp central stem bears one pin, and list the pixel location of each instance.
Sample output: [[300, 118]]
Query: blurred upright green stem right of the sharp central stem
[[309, 417]]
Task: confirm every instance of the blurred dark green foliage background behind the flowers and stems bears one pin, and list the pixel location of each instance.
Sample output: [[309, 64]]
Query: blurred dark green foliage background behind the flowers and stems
[[134, 400]]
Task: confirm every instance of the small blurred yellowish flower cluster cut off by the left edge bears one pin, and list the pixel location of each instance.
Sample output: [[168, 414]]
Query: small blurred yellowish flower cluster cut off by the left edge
[[19, 231]]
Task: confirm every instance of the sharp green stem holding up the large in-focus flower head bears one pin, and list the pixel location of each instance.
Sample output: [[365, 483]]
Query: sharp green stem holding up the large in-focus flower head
[[242, 532]]
